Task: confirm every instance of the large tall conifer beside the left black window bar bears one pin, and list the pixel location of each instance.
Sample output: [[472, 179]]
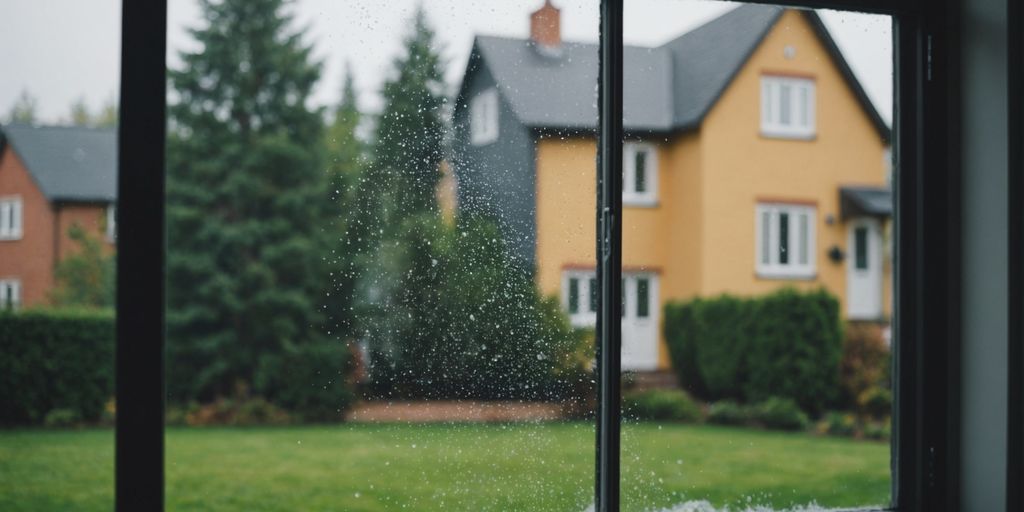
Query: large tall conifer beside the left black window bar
[[247, 200]]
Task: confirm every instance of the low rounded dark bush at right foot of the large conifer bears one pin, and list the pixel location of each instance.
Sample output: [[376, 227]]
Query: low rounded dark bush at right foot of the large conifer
[[310, 380]]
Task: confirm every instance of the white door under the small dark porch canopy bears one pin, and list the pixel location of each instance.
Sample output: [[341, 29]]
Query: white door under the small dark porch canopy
[[864, 276]]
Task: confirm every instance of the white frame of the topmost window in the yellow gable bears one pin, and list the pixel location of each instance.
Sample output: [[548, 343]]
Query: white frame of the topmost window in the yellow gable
[[772, 125]]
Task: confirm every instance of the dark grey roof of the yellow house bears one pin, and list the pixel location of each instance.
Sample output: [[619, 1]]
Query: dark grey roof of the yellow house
[[667, 89]]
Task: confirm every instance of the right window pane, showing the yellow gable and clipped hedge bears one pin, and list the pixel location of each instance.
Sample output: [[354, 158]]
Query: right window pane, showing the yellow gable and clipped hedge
[[755, 352]]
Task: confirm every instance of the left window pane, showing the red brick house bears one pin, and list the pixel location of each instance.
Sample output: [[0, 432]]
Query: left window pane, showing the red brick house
[[59, 169]]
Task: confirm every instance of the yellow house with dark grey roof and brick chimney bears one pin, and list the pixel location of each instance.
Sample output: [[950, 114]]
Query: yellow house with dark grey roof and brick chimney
[[754, 161]]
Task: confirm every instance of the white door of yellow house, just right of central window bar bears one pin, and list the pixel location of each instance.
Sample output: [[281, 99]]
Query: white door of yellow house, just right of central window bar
[[641, 314]]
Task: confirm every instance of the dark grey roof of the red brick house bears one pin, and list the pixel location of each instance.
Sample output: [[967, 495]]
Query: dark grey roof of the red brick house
[[68, 163]]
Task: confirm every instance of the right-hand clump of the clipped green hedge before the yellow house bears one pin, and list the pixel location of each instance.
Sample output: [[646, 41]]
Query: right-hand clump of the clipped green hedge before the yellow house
[[795, 349]]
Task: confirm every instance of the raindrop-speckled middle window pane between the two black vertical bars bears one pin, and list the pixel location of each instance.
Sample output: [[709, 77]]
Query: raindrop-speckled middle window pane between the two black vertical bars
[[381, 269]]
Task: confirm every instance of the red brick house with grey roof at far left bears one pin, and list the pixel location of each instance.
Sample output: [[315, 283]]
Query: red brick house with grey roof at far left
[[51, 179]]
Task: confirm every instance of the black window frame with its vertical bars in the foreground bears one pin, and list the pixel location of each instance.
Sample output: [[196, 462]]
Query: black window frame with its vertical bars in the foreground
[[925, 458]]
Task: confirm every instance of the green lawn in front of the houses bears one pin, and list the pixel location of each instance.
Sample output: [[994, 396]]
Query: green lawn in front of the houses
[[529, 467]]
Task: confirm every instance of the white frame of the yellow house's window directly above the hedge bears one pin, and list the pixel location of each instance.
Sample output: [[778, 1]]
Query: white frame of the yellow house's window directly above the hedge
[[794, 270]]
